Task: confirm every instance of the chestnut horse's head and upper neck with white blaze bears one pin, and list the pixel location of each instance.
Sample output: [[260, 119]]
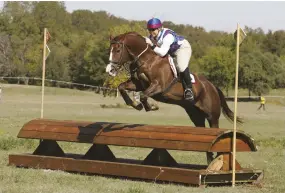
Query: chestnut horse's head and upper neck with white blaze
[[124, 48]]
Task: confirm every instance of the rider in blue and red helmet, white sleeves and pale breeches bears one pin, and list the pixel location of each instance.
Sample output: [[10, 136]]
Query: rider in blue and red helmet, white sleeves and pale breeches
[[168, 42]]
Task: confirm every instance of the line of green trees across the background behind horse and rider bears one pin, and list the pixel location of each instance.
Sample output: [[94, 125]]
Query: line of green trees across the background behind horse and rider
[[79, 47]]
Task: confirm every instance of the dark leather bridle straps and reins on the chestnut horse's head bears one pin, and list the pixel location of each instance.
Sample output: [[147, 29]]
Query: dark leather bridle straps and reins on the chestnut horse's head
[[118, 64]]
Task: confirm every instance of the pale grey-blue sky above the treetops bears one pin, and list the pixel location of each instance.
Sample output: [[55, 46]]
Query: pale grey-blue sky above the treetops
[[212, 15]]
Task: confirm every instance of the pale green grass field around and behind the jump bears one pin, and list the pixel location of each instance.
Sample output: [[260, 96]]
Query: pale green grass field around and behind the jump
[[22, 103]]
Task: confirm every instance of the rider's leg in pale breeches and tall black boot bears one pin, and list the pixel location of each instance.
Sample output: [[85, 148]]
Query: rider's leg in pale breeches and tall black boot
[[183, 57]]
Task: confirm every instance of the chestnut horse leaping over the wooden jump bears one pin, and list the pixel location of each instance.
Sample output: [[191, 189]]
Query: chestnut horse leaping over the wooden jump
[[153, 76]]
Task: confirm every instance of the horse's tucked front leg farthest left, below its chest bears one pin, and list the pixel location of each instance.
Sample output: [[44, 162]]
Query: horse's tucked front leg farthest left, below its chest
[[129, 85]]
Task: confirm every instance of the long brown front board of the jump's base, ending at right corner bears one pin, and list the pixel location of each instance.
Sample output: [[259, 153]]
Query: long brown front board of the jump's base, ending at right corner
[[107, 168]]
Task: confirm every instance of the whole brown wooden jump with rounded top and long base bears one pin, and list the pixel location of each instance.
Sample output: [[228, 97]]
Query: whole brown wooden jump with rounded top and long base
[[159, 165]]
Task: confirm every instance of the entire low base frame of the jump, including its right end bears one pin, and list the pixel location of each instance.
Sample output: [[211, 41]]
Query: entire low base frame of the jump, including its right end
[[177, 175]]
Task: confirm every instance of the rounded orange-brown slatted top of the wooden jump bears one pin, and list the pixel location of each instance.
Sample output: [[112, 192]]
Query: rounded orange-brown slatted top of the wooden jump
[[88, 132]]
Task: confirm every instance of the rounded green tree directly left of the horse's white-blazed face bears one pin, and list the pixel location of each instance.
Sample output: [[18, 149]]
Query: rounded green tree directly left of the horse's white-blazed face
[[88, 59]]
